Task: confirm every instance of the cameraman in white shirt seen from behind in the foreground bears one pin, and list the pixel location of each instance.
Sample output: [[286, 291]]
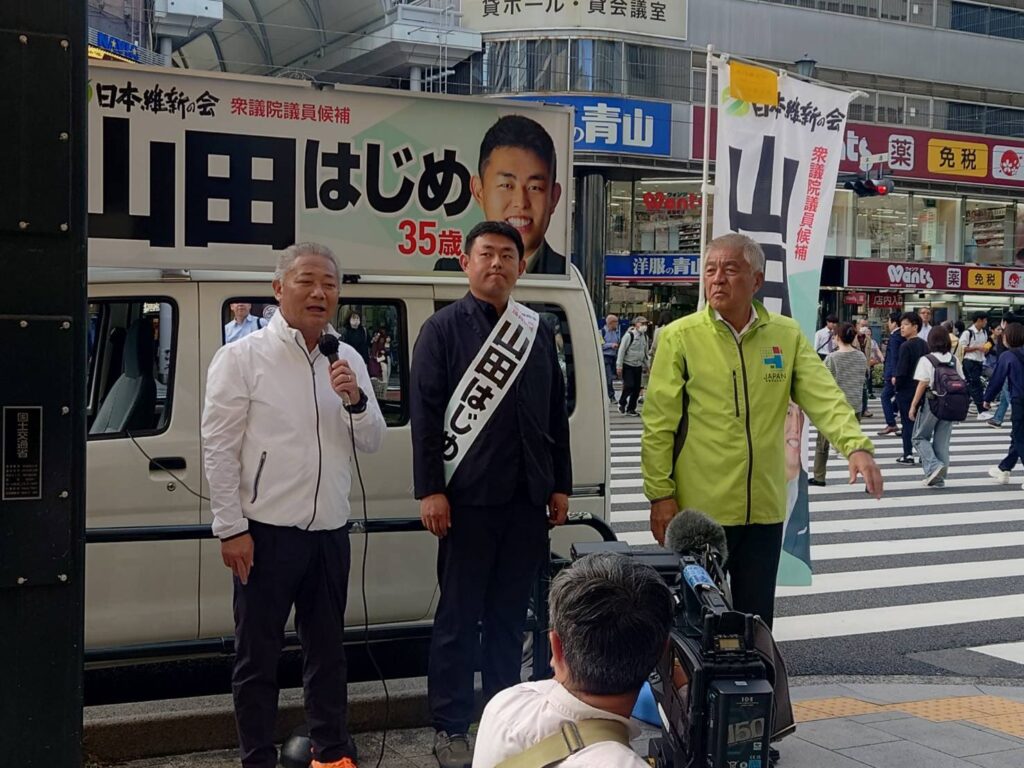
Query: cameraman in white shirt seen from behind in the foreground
[[611, 619]]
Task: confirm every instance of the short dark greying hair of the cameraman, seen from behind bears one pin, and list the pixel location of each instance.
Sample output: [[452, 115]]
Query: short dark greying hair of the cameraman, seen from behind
[[613, 616]]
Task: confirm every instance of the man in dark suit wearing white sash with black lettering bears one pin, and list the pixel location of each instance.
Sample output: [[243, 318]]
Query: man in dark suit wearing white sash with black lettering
[[492, 518]]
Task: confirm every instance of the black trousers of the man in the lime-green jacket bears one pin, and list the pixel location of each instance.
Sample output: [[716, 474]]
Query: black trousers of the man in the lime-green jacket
[[753, 568]]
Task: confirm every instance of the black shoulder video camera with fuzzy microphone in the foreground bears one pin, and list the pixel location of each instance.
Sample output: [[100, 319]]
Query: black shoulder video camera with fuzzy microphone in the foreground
[[721, 687]]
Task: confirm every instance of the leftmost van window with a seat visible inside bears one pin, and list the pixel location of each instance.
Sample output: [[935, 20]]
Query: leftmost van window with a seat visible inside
[[133, 348]]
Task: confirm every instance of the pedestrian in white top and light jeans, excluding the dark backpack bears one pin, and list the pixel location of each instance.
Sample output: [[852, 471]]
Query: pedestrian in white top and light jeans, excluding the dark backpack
[[931, 435]]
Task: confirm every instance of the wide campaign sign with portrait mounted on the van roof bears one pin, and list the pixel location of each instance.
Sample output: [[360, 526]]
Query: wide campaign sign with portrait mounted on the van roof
[[212, 172]]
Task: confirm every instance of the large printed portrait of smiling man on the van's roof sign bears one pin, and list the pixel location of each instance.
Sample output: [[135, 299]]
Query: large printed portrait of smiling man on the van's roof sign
[[516, 184]]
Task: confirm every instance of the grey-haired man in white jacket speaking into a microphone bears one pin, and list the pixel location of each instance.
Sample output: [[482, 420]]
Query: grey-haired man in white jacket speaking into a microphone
[[279, 430]]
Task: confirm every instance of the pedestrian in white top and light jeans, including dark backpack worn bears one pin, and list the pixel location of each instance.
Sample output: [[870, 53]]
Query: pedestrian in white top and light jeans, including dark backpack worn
[[942, 400]]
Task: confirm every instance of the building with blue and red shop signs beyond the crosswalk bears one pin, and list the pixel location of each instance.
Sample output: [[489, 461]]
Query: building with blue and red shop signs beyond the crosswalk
[[943, 99]]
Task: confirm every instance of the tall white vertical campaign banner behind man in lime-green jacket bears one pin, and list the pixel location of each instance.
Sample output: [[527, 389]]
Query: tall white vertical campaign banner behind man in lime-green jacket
[[780, 146]]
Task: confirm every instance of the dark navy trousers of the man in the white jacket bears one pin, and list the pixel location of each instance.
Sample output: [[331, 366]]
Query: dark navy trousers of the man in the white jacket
[[310, 570]]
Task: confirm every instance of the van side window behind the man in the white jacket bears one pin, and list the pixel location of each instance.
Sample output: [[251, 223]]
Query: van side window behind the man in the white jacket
[[379, 337]]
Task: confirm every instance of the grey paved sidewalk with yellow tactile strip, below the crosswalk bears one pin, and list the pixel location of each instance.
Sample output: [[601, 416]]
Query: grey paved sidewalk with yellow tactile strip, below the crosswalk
[[903, 724]]
